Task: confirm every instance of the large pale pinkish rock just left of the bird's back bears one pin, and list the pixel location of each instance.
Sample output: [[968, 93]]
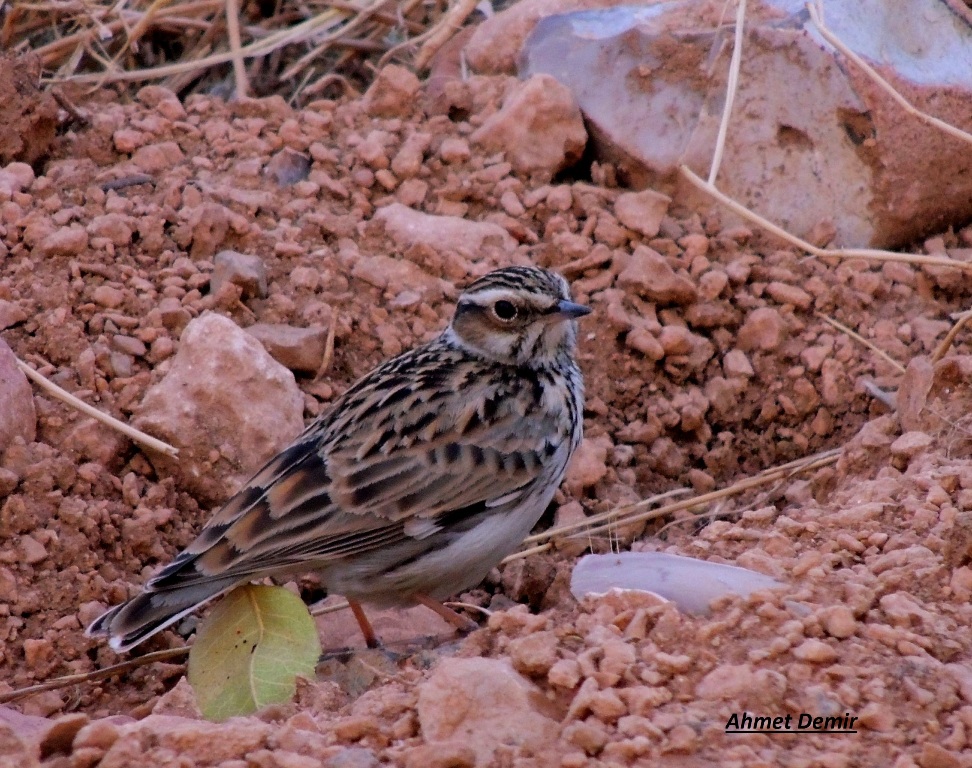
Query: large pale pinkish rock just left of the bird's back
[[225, 404]]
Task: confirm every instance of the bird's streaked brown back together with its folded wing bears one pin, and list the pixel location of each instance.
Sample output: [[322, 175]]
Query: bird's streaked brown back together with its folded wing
[[354, 480]]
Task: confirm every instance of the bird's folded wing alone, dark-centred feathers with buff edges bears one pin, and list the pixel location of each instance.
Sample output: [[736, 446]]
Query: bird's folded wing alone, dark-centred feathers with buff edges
[[309, 502]]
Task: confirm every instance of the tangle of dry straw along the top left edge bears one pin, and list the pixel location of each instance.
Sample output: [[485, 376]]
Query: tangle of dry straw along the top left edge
[[198, 45]]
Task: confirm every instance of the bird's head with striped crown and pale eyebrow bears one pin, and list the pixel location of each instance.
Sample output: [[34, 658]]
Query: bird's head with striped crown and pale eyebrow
[[518, 316]]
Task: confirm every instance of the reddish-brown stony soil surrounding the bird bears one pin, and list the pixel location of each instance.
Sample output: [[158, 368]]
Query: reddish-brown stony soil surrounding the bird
[[706, 361]]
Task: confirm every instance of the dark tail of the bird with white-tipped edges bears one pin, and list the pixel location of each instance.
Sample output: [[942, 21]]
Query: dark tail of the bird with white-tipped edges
[[135, 621]]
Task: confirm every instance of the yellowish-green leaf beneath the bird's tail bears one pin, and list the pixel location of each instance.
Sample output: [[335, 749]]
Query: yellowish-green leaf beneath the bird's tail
[[249, 651]]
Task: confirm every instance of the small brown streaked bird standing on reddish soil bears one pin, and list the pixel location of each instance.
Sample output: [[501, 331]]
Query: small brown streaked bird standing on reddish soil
[[415, 482]]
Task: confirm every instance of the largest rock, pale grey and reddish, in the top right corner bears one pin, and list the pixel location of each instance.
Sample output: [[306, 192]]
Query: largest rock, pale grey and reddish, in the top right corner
[[813, 144]]
